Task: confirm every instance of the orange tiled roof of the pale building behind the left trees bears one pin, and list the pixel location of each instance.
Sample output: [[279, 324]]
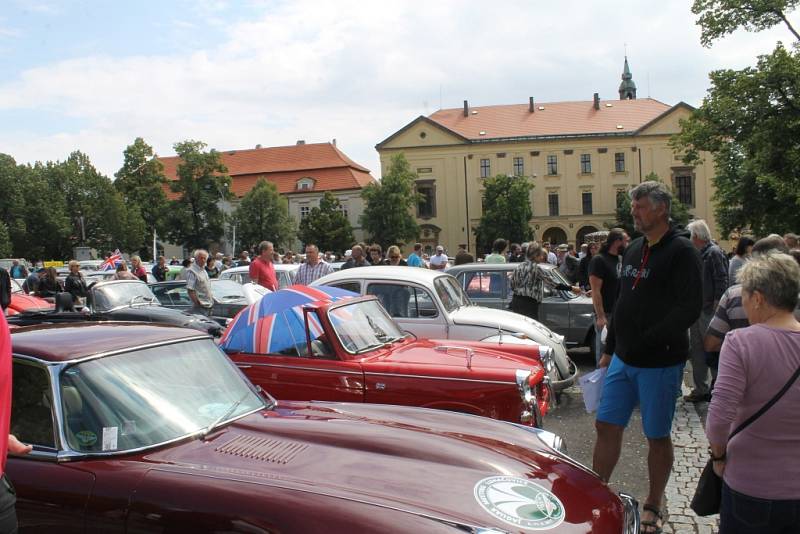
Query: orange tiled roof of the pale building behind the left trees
[[330, 168]]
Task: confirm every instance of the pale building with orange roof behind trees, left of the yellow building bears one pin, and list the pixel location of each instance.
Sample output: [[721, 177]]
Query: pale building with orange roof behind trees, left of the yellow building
[[302, 173]]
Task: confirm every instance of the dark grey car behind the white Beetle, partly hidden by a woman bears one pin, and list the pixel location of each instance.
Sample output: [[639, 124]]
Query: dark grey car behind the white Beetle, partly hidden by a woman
[[563, 312]]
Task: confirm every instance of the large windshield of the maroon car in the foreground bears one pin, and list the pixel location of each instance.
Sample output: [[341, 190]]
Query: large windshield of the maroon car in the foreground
[[151, 396]]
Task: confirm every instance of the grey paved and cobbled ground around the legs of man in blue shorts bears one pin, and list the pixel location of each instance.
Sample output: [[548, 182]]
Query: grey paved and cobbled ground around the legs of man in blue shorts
[[572, 422]]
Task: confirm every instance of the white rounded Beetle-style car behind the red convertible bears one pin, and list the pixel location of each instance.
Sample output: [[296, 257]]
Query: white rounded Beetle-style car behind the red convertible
[[432, 304]]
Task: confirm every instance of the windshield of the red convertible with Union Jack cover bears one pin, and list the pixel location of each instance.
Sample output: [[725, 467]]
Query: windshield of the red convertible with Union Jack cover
[[362, 326]]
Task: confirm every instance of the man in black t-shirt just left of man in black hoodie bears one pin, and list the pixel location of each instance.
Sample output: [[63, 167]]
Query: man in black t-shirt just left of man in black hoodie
[[604, 281]]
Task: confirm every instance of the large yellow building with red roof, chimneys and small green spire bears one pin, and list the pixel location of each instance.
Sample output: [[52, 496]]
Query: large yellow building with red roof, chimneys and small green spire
[[580, 156]]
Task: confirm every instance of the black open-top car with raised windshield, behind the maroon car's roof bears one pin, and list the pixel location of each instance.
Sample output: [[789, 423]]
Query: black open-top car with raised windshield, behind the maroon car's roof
[[117, 300]]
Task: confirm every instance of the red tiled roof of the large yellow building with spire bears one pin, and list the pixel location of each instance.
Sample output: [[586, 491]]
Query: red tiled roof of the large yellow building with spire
[[556, 119]]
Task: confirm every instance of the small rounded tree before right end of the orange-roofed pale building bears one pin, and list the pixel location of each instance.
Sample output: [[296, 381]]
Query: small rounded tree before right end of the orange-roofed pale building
[[327, 226]]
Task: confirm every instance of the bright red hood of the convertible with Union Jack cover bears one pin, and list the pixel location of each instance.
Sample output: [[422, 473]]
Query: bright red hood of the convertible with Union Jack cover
[[451, 354]]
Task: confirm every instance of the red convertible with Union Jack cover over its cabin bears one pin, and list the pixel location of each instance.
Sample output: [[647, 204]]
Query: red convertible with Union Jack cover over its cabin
[[306, 343]]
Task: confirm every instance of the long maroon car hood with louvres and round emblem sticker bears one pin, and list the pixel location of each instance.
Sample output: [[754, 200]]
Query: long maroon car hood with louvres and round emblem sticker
[[426, 462]]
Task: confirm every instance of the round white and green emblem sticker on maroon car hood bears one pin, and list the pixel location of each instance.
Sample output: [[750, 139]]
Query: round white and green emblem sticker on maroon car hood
[[520, 502]]
